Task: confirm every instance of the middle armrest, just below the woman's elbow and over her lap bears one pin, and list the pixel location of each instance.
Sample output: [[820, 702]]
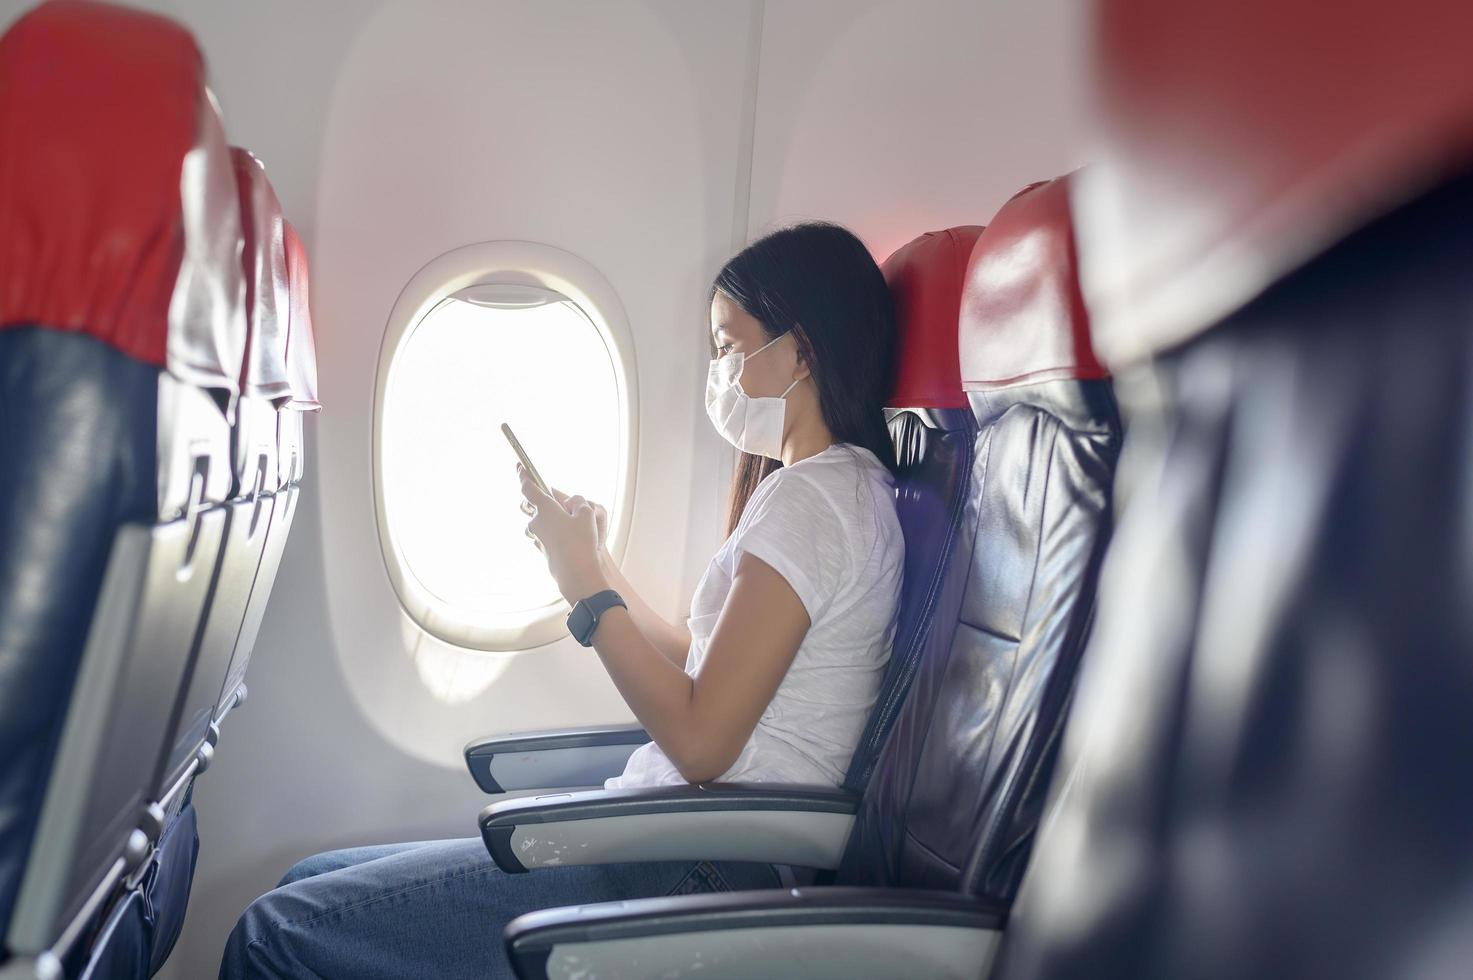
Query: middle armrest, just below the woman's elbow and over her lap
[[805, 826]]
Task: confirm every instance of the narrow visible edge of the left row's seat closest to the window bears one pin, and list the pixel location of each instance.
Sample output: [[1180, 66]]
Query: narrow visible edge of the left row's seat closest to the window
[[291, 412]]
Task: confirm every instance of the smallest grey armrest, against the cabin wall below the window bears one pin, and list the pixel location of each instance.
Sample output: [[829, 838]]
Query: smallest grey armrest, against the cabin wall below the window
[[552, 760]]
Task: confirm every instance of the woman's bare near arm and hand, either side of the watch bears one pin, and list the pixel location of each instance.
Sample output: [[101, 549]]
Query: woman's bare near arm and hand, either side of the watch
[[700, 723]]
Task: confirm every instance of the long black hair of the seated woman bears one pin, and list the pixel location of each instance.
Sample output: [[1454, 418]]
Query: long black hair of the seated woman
[[818, 282]]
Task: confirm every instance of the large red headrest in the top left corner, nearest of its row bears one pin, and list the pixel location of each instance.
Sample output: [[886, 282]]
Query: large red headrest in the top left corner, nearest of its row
[[119, 214]]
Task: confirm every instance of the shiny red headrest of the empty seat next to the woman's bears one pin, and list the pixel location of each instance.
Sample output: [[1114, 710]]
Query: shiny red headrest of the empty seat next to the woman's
[[1023, 318]]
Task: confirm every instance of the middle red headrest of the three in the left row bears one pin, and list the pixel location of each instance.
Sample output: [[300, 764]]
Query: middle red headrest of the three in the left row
[[269, 301]]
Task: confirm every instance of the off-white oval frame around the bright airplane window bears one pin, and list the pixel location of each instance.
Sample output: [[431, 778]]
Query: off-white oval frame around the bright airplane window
[[506, 265]]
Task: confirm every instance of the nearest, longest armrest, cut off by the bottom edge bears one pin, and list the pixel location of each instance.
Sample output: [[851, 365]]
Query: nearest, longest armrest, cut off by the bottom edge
[[770, 934]]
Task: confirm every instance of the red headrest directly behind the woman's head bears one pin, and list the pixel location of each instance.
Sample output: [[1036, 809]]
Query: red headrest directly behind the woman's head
[[926, 279]]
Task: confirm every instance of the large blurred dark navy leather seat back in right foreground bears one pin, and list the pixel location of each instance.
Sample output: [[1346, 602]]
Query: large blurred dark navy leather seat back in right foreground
[[1270, 757]]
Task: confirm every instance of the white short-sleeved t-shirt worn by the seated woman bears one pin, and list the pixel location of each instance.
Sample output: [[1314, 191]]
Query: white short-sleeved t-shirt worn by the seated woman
[[827, 525]]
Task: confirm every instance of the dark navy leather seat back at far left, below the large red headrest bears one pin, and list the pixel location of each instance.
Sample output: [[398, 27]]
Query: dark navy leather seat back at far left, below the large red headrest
[[58, 517]]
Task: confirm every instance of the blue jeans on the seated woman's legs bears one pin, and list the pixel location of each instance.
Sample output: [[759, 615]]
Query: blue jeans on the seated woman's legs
[[432, 910]]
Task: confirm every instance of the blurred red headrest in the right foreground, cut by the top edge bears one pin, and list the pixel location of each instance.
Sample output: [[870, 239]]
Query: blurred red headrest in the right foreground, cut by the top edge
[[1240, 141]]
